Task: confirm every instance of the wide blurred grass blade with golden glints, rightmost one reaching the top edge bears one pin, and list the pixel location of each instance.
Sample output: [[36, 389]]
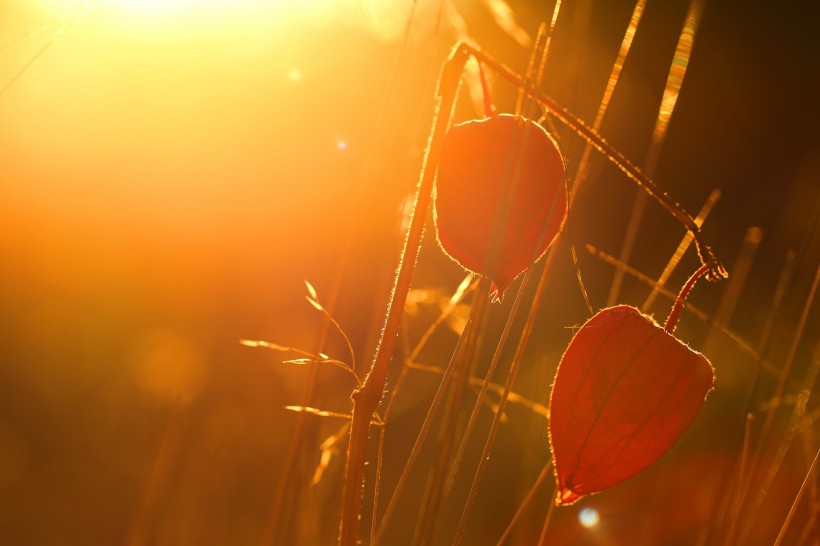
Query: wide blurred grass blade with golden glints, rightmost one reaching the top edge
[[674, 81]]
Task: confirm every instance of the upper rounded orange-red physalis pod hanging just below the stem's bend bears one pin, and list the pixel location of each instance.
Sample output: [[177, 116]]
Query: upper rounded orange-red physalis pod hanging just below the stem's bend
[[500, 196]]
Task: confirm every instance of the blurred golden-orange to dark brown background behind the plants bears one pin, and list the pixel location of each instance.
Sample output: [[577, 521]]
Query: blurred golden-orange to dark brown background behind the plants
[[171, 172]]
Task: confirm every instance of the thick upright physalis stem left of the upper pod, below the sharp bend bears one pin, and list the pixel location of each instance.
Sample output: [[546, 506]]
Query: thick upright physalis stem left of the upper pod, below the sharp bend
[[367, 398]]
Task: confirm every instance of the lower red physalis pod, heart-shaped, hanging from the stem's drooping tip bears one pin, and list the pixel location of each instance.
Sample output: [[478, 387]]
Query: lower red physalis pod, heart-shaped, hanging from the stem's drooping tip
[[625, 391]]
